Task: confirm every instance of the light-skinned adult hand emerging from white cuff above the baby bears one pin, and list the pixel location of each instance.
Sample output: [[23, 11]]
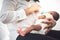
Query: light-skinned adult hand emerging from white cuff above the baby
[[33, 8]]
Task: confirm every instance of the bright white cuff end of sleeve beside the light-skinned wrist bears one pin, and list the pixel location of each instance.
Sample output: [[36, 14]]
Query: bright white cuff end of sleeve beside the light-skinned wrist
[[19, 15]]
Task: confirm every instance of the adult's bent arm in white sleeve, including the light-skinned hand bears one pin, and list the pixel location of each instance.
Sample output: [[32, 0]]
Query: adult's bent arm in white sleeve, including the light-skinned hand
[[10, 12]]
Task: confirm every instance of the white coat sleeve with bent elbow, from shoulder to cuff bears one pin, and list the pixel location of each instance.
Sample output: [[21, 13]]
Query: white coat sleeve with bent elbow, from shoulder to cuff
[[9, 12]]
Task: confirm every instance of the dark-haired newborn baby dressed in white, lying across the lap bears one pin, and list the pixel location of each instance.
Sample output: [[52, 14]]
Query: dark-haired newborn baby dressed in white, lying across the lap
[[47, 16]]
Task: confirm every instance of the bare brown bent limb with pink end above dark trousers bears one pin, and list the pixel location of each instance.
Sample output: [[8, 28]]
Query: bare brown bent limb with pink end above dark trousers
[[28, 30]]
